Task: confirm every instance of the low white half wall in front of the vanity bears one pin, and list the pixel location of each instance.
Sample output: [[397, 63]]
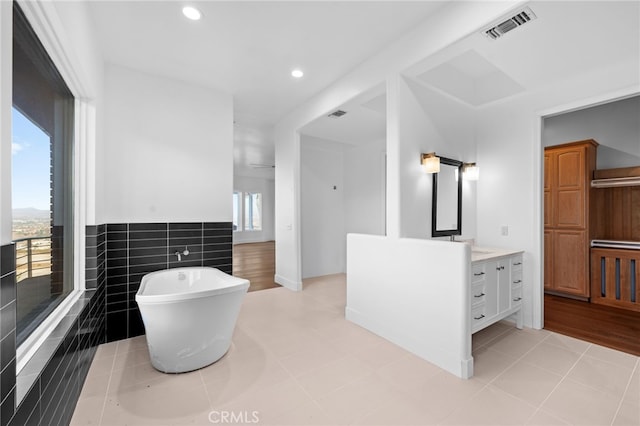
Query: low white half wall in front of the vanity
[[419, 301]]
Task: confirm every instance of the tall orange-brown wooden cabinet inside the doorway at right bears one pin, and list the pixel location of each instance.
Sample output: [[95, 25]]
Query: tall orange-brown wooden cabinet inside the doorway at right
[[567, 189]]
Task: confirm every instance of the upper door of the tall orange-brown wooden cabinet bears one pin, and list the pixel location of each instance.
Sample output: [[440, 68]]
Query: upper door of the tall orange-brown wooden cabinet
[[569, 196]]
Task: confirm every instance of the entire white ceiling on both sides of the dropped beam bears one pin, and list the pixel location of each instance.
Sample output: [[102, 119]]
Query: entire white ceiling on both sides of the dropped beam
[[249, 48]]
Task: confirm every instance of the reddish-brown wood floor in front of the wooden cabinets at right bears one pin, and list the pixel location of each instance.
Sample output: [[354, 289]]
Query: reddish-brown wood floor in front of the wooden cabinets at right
[[615, 328]]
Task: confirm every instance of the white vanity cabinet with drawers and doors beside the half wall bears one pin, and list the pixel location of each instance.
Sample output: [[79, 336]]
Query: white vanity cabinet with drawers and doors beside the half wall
[[496, 289]]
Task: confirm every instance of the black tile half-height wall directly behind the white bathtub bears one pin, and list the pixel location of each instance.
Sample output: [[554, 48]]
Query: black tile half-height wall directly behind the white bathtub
[[135, 249]]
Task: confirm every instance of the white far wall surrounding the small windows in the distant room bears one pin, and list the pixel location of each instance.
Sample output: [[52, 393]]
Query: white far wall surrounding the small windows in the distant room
[[267, 188]]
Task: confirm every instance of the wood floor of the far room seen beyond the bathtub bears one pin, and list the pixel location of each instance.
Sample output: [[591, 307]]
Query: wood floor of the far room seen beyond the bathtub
[[257, 263]]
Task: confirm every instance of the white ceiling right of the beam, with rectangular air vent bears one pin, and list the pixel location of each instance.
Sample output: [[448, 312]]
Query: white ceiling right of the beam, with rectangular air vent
[[566, 40]]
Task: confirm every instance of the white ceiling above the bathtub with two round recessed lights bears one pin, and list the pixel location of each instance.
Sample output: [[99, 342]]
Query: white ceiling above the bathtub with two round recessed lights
[[248, 49]]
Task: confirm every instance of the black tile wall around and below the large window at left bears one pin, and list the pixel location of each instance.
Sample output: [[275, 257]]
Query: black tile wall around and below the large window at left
[[52, 396]]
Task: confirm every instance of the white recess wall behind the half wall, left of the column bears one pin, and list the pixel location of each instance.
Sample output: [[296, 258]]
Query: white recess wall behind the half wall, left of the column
[[328, 215]]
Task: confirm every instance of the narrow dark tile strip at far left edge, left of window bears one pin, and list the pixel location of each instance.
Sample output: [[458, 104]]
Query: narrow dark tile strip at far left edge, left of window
[[7, 332]]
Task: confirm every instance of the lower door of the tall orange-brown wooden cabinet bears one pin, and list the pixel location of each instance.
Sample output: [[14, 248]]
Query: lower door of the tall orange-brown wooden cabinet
[[570, 262]]
